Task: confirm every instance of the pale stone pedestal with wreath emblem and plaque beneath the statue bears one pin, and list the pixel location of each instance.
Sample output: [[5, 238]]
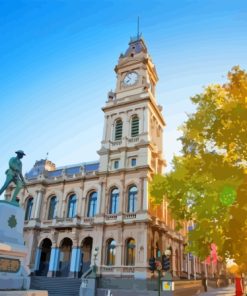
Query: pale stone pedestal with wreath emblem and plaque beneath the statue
[[13, 272]]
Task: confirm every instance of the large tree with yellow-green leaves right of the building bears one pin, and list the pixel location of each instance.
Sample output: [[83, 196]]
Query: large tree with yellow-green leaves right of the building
[[207, 183]]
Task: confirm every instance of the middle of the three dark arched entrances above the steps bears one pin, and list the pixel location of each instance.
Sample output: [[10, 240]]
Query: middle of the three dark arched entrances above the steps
[[65, 257]]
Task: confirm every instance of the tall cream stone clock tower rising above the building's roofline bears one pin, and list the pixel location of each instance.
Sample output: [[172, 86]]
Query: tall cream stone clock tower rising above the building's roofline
[[133, 128]]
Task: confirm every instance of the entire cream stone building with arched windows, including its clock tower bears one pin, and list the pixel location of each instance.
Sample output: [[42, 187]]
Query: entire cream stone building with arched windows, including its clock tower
[[73, 209]]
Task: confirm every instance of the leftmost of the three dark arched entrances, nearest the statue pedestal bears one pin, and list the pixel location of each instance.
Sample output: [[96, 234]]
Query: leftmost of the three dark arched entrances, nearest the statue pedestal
[[44, 257]]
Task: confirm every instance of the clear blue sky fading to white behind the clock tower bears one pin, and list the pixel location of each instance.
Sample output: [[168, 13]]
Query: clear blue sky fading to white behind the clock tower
[[57, 59]]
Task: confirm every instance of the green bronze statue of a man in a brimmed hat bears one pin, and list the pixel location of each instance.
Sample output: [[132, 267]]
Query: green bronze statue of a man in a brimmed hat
[[14, 174]]
